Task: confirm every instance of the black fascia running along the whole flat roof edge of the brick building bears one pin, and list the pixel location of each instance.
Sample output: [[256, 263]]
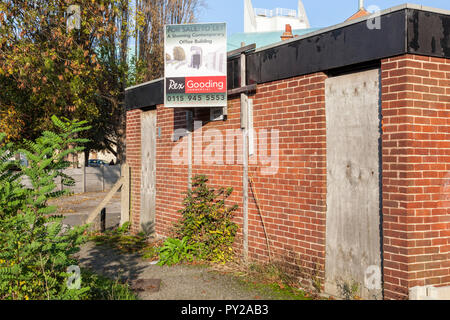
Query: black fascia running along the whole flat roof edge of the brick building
[[404, 29]]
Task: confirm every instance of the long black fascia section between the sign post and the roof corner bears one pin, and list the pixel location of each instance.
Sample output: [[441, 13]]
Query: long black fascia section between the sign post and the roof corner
[[349, 45]]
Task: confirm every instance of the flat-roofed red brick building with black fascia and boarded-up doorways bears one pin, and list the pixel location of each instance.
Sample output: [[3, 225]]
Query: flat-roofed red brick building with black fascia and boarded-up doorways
[[350, 171]]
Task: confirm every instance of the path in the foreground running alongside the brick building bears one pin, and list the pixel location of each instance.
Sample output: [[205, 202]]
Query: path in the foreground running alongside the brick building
[[177, 282]]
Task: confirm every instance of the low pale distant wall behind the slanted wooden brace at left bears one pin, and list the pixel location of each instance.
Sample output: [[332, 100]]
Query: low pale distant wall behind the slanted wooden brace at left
[[88, 179]]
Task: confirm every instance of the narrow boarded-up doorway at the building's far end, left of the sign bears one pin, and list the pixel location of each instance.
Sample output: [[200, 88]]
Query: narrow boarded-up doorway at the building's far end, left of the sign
[[148, 178]]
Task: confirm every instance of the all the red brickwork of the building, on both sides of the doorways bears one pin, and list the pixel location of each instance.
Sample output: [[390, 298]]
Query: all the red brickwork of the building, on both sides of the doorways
[[416, 172]]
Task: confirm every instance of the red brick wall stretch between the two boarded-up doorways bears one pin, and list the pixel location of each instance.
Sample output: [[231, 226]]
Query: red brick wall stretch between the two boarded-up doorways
[[292, 201]]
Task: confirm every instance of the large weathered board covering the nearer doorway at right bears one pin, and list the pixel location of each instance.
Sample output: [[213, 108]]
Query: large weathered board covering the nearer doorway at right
[[353, 254]]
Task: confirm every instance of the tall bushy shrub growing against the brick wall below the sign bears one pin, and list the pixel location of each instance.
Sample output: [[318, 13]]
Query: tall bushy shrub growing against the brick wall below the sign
[[207, 221]]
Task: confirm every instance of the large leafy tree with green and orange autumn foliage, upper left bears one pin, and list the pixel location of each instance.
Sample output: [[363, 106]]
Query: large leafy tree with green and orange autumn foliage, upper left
[[47, 70]]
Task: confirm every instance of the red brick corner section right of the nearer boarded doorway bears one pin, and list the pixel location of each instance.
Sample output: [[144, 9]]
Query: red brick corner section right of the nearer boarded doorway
[[416, 173]]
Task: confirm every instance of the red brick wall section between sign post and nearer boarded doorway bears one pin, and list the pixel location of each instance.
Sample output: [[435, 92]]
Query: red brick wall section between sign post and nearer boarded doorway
[[292, 201]]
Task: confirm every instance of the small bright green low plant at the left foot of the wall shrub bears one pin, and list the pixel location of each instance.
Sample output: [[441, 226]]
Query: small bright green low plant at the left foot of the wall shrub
[[175, 251]]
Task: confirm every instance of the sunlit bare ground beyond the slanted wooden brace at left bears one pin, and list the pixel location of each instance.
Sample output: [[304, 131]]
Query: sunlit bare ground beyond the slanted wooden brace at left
[[77, 208]]
